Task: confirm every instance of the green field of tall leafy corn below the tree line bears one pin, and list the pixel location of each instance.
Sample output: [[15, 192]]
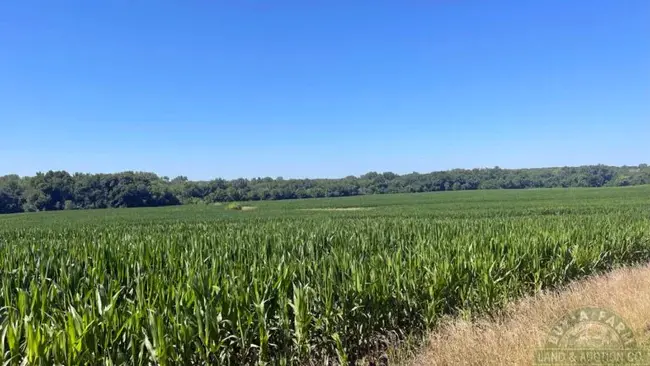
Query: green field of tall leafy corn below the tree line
[[294, 282]]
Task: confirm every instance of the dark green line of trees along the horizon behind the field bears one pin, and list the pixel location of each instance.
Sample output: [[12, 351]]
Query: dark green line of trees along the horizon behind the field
[[59, 190]]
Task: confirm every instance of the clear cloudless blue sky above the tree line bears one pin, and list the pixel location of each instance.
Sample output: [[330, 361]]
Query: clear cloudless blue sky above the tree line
[[321, 88]]
